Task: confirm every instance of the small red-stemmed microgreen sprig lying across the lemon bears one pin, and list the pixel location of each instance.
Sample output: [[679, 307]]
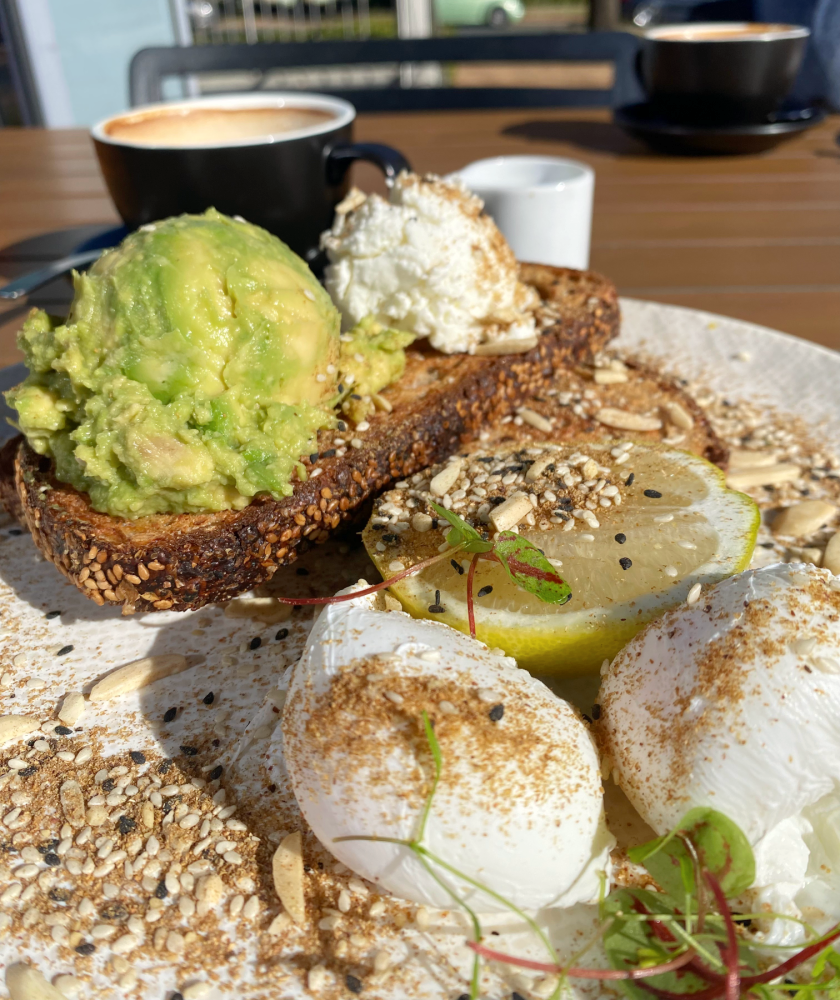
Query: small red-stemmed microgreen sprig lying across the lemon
[[524, 563]]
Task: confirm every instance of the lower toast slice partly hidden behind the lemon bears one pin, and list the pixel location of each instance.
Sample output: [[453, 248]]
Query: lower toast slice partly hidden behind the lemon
[[573, 401]]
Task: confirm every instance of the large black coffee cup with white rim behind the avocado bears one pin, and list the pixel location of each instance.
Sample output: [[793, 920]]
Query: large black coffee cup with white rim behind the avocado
[[287, 181]]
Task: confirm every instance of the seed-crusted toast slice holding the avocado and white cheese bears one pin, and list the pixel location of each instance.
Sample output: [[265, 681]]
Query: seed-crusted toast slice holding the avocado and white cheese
[[184, 561]]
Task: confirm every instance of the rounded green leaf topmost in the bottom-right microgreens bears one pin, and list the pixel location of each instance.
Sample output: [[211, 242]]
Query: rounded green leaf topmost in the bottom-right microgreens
[[721, 847]]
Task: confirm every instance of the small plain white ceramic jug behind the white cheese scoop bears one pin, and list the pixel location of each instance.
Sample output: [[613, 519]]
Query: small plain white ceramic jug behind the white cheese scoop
[[542, 205]]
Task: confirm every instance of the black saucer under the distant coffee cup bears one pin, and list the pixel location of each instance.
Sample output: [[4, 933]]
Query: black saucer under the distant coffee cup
[[644, 122]]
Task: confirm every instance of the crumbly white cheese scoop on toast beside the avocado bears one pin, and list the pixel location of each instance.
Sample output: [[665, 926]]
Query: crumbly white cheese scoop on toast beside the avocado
[[428, 261]]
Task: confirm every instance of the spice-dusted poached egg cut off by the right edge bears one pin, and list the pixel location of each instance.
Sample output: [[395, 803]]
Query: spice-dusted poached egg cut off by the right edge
[[734, 703]]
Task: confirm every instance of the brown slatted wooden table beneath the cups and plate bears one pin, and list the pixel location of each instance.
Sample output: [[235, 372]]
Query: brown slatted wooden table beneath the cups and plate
[[756, 237]]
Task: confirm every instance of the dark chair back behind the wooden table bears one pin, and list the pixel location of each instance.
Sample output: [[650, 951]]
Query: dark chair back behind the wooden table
[[150, 66]]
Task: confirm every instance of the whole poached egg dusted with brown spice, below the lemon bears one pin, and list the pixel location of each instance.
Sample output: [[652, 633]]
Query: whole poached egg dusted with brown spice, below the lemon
[[519, 807]]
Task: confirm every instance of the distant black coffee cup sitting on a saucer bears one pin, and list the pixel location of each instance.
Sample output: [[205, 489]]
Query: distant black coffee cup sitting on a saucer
[[726, 73]]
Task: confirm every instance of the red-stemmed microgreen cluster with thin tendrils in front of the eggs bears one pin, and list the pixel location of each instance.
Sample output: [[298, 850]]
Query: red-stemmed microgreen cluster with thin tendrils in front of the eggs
[[681, 943]]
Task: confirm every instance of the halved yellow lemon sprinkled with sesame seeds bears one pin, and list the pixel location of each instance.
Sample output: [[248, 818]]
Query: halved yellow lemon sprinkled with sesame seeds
[[633, 529]]
